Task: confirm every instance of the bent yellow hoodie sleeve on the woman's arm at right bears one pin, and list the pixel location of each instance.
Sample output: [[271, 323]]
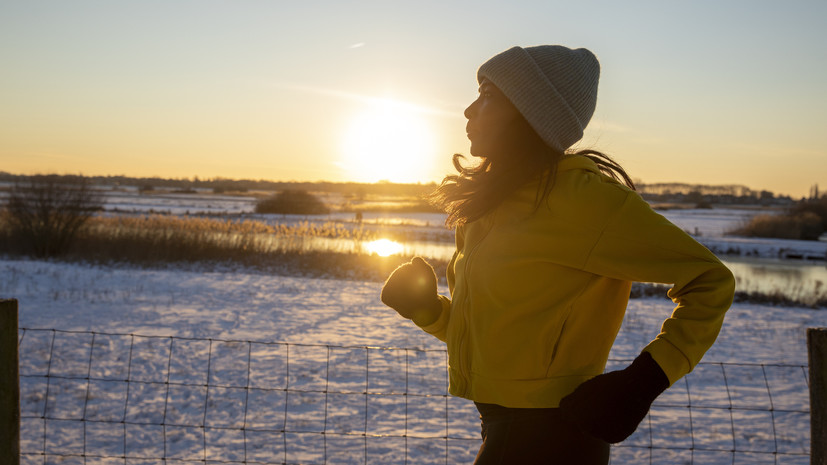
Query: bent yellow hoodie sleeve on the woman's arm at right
[[640, 245]]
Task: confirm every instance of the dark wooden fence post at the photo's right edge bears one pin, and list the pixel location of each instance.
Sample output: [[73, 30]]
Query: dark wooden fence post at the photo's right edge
[[817, 353]]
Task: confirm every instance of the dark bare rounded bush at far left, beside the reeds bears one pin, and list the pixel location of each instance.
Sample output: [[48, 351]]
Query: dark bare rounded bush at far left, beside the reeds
[[45, 212]]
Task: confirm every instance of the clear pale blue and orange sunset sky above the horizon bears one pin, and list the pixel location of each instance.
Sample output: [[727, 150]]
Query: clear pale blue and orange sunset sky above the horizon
[[704, 92]]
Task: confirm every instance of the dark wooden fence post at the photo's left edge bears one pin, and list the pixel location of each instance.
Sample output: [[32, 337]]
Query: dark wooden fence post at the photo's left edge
[[9, 384]]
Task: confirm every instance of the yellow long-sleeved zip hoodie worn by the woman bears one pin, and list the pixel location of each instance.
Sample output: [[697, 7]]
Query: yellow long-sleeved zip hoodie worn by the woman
[[537, 297]]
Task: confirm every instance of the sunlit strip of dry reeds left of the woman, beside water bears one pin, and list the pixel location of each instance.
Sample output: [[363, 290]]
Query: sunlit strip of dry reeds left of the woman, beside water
[[306, 249]]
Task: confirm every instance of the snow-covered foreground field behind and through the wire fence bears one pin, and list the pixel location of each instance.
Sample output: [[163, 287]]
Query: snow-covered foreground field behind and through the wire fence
[[347, 315]]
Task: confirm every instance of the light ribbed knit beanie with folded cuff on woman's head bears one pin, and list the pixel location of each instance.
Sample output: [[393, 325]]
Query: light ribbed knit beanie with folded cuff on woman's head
[[553, 87]]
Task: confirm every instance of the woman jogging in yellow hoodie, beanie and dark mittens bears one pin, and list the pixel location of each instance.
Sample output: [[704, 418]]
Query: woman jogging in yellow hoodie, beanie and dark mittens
[[548, 244]]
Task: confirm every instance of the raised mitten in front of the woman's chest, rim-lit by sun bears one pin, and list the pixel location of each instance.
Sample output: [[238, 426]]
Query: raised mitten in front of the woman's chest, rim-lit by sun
[[411, 291]]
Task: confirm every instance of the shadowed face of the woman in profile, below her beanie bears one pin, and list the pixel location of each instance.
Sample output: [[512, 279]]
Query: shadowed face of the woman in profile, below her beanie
[[492, 123]]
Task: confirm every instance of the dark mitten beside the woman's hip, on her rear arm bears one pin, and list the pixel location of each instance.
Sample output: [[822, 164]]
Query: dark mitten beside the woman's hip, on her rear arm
[[611, 406]]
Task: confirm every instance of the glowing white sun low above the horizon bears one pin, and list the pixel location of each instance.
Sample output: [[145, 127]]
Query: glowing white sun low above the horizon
[[389, 141]]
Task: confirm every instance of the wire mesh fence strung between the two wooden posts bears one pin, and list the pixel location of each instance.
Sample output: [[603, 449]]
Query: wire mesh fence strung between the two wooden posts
[[94, 397]]
